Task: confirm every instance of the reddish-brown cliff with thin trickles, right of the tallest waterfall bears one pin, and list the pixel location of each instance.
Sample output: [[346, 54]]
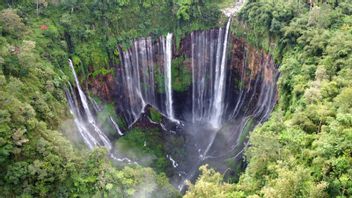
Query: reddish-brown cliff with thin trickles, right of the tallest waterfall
[[251, 81]]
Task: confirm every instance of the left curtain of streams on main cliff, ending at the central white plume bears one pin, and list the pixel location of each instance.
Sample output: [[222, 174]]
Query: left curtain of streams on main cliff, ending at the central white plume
[[145, 77]]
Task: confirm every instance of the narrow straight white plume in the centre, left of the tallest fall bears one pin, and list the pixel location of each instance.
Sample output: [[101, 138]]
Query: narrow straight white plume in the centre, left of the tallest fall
[[167, 74]]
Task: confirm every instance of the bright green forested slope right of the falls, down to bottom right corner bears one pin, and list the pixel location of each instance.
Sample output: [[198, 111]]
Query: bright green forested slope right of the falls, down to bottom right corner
[[304, 150]]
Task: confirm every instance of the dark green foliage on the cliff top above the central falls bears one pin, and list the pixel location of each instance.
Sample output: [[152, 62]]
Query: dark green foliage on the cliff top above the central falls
[[92, 30]]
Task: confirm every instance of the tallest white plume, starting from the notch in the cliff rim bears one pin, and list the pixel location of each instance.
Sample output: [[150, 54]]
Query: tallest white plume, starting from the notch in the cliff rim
[[218, 105]]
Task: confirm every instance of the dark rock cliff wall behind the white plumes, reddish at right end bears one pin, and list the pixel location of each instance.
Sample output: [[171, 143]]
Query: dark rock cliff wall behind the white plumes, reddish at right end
[[251, 76]]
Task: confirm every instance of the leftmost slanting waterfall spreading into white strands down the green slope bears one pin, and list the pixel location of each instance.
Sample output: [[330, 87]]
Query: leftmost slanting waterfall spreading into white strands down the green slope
[[93, 137]]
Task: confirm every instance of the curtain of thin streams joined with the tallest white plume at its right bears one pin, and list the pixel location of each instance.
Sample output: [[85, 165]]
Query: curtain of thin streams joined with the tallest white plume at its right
[[208, 59]]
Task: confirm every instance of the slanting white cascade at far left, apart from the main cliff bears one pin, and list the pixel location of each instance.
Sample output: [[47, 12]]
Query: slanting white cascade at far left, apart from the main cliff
[[99, 136]]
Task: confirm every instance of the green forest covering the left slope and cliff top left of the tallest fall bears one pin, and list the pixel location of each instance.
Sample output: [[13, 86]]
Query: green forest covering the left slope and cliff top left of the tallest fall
[[36, 40]]
